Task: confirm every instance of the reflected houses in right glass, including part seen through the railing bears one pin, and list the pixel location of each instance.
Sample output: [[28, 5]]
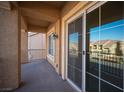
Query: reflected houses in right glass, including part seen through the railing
[[109, 50]]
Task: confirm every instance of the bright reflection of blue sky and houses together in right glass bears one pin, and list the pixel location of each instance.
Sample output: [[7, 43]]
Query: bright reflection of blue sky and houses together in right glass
[[110, 47]]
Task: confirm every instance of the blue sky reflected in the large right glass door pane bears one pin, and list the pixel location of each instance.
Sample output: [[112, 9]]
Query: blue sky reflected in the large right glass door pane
[[110, 31]]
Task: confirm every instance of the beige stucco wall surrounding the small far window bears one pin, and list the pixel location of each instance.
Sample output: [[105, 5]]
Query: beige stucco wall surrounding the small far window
[[56, 62]]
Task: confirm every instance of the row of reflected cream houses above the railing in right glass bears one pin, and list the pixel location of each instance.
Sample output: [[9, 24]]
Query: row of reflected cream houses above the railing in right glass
[[107, 46]]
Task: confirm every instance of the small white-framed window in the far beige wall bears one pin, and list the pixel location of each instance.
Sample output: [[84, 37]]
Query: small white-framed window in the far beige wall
[[51, 45]]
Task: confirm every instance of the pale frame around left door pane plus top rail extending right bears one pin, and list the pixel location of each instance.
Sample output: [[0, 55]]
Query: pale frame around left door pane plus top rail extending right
[[82, 14]]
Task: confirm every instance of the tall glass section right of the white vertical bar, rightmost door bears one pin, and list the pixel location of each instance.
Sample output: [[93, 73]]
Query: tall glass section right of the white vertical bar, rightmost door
[[112, 45]]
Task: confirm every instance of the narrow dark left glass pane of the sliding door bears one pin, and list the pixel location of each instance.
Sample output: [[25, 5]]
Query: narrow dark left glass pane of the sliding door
[[74, 65]]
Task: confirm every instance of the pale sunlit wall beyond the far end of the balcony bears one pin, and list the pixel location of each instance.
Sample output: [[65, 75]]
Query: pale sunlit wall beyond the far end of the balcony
[[37, 46]]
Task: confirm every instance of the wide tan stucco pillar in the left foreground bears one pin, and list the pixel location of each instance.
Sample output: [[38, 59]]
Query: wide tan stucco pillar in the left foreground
[[9, 50]]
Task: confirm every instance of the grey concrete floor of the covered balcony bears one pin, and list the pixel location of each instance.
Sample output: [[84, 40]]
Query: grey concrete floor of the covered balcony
[[40, 76]]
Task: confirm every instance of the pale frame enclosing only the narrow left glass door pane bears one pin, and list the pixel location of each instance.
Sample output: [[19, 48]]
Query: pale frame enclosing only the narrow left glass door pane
[[83, 62]]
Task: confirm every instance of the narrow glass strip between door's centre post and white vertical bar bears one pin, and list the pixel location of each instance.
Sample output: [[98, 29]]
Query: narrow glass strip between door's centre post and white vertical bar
[[92, 55]]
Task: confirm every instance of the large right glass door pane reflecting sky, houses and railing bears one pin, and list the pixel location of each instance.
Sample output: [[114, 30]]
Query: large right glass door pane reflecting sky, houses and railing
[[105, 48]]
